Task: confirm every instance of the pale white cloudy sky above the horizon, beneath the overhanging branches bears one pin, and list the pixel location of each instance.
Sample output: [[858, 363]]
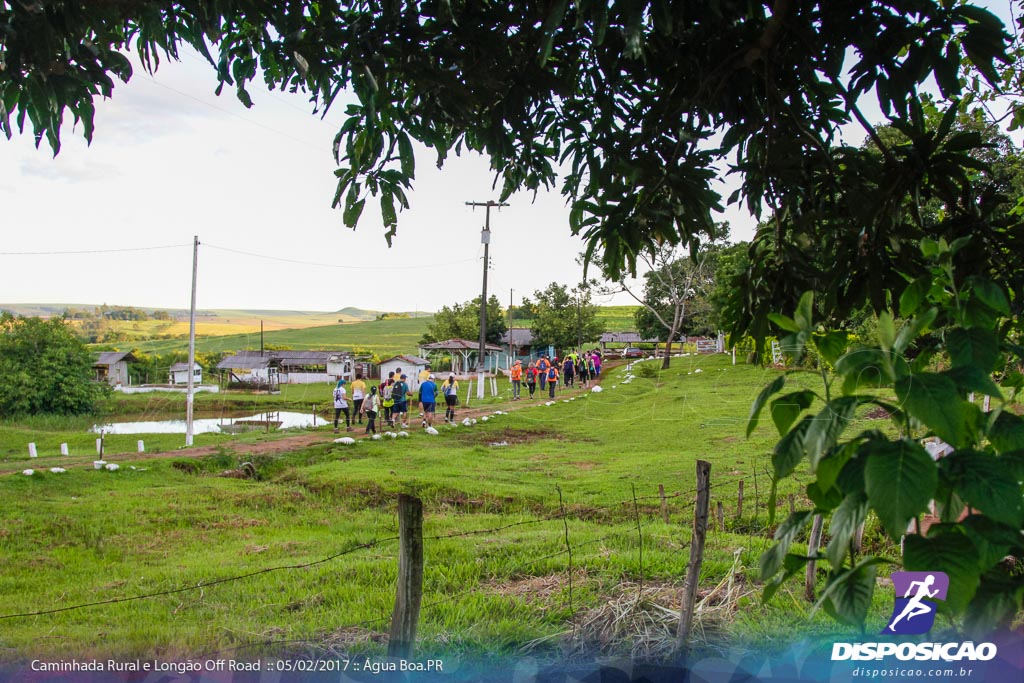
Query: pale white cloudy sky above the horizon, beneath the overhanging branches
[[113, 223]]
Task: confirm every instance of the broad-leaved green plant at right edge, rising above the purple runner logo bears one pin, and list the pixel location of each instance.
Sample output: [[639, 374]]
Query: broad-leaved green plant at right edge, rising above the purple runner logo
[[952, 337]]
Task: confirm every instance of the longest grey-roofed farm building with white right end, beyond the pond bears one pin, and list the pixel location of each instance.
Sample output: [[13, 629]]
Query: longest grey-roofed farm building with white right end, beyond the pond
[[288, 367]]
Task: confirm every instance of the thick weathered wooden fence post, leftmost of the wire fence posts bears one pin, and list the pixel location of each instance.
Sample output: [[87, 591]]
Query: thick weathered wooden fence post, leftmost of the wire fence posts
[[406, 617]]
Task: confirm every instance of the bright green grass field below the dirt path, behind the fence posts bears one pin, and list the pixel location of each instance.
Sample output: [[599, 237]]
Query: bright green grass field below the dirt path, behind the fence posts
[[498, 572]]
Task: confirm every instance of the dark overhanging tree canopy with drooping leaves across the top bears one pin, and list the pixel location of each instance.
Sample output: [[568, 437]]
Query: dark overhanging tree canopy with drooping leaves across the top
[[644, 103]]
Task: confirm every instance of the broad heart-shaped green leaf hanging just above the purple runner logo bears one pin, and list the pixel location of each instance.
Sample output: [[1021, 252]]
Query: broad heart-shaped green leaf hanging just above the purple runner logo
[[901, 480]]
